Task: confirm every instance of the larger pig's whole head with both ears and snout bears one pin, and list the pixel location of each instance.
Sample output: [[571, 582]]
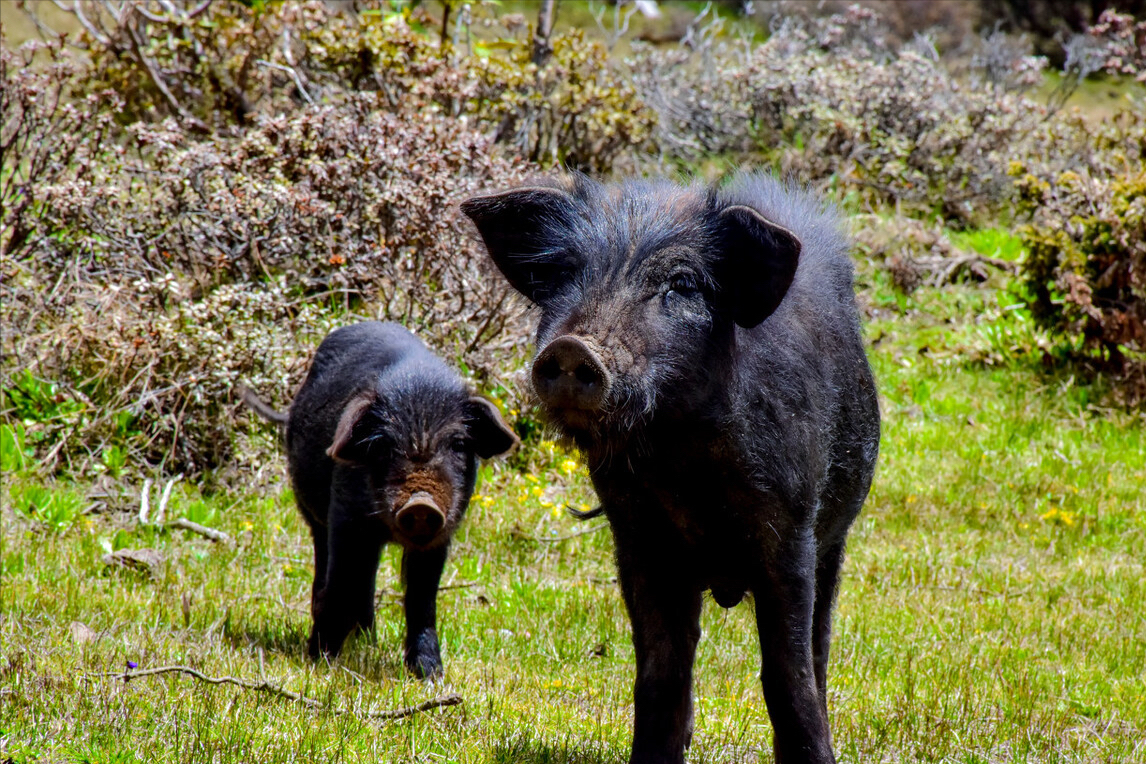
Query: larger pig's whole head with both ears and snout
[[640, 288]]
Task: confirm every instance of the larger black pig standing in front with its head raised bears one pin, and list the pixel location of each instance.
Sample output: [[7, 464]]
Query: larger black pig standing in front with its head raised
[[702, 348]]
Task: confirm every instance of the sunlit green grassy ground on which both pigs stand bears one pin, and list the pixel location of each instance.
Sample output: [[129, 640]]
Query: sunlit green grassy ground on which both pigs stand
[[993, 607]]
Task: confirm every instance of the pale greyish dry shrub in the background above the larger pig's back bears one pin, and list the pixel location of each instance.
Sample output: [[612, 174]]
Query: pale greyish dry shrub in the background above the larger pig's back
[[834, 100]]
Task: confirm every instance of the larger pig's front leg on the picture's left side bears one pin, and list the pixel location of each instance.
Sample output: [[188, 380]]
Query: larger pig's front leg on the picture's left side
[[664, 607]]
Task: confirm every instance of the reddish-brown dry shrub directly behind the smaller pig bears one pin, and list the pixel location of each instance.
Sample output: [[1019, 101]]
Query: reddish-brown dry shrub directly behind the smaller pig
[[184, 266]]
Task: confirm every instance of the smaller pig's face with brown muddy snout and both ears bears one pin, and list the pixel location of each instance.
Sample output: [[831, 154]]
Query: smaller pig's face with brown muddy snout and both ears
[[422, 460]]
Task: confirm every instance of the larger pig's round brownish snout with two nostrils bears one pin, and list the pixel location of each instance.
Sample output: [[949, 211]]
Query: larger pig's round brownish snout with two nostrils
[[569, 375]]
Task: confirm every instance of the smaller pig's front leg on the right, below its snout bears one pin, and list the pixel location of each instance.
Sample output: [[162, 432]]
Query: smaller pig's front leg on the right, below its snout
[[422, 571]]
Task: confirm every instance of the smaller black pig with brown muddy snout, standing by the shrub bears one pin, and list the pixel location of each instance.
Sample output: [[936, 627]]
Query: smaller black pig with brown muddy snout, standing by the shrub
[[383, 444]]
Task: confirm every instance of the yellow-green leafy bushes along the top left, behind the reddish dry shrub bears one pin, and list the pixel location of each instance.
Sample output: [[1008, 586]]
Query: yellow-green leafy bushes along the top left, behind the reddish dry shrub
[[214, 67]]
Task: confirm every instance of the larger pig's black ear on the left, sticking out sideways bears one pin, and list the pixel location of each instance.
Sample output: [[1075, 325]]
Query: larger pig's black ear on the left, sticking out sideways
[[517, 227]]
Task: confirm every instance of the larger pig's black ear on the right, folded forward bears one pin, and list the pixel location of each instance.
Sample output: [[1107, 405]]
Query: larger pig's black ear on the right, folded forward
[[758, 264]]
